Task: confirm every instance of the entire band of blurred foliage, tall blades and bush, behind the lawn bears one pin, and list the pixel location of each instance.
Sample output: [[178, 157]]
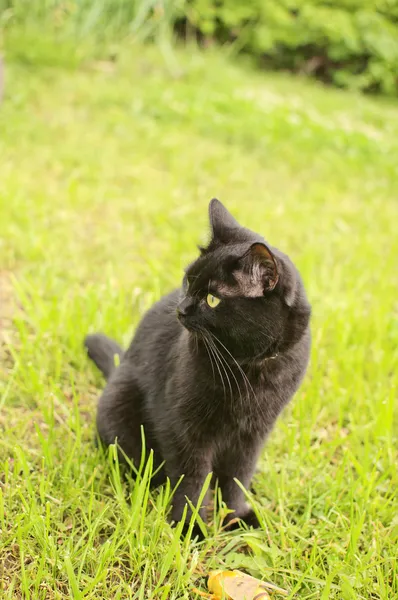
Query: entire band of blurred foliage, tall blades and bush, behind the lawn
[[351, 43]]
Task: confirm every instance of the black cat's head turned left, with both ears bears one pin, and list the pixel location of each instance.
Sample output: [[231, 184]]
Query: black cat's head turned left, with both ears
[[243, 292]]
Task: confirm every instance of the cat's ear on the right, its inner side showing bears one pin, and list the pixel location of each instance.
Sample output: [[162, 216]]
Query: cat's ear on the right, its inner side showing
[[259, 270]]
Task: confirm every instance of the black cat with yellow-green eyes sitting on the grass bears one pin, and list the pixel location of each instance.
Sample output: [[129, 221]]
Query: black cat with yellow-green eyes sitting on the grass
[[210, 367]]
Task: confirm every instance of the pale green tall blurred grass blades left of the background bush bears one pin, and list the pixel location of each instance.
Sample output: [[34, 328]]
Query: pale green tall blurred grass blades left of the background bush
[[67, 32]]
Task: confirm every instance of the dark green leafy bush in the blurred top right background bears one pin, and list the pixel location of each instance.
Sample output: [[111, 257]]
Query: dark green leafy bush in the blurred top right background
[[352, 43]]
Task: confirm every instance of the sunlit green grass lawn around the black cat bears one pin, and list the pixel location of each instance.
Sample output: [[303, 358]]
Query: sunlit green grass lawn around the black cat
[[106, 173]]
